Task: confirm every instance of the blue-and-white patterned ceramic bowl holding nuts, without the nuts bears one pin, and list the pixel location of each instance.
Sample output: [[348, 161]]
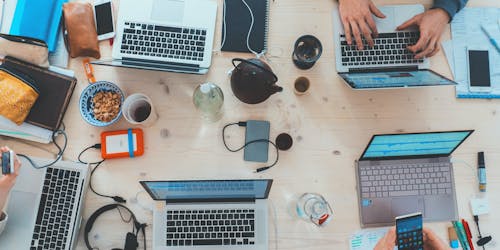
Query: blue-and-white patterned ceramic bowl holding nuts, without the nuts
[[87, 107]]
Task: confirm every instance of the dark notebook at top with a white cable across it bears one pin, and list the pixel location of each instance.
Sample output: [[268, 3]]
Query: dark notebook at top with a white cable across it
[[237, 24]]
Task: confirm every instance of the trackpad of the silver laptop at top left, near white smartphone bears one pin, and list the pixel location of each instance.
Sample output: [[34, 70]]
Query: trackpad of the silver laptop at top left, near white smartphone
[[168, 10]]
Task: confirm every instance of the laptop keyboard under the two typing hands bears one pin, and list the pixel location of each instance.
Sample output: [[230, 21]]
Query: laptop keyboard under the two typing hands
[[389, 48]]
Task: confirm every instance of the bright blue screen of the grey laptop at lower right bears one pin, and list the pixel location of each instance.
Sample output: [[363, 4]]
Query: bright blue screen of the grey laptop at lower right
[[411, 145]]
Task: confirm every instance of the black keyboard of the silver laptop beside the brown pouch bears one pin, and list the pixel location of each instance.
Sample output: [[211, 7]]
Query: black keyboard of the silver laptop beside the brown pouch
[[163, 41]]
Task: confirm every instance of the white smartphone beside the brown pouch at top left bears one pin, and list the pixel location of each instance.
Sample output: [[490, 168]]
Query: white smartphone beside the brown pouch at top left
[[104, 20]]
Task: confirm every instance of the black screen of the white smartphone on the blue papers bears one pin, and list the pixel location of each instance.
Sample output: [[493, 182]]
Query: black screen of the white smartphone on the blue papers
[[479, 68]]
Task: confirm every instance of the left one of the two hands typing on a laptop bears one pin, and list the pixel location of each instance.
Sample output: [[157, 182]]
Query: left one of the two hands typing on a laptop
[[356, 17]]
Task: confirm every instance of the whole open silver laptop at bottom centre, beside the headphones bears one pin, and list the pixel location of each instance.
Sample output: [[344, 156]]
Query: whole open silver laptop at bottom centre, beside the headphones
[[210, 214]]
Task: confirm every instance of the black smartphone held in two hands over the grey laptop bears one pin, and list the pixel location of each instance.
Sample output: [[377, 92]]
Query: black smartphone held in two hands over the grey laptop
[[409, 232]]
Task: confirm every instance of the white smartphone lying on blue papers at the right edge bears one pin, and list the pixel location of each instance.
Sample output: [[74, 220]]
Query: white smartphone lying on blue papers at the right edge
[[479, 70]]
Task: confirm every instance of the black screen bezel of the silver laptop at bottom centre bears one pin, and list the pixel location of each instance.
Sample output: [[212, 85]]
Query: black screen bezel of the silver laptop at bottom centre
[[266, 195]]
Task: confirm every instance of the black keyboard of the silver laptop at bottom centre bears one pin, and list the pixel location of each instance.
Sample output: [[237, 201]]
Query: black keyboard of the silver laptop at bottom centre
[[211, 227]]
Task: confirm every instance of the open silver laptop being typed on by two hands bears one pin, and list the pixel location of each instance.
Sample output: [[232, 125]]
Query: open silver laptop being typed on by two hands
[[388, 64]]
